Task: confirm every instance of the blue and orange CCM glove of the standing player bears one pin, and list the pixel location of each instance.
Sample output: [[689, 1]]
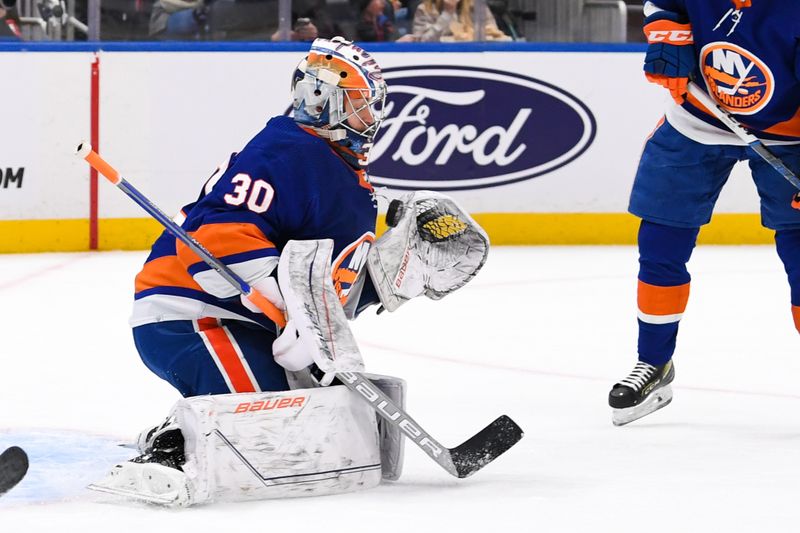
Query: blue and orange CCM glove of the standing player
[[670, 57]]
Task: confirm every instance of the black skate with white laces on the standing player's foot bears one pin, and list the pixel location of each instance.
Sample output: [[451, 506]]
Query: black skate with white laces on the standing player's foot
[[645, 390]]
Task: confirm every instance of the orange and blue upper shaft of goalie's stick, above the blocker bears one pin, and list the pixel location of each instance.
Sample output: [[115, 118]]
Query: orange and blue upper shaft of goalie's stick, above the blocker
[[85, 151]]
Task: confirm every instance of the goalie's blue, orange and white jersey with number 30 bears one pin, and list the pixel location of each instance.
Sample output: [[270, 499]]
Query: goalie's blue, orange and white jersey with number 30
[[286, 184]]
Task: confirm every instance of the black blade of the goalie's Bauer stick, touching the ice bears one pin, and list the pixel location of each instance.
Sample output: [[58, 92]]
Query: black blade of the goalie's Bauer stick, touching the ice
[[485, 446]]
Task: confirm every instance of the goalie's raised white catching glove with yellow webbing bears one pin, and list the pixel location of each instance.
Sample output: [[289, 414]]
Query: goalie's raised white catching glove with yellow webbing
[[433, 247]]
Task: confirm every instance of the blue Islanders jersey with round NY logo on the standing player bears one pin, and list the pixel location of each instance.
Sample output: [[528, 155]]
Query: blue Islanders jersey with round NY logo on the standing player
[[749, 59]]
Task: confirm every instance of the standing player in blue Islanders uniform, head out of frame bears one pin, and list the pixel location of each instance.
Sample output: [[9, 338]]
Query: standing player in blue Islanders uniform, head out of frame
[[746, 54]]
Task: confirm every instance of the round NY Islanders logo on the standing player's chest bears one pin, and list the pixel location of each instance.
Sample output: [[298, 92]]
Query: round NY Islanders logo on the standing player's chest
[[737, 78]]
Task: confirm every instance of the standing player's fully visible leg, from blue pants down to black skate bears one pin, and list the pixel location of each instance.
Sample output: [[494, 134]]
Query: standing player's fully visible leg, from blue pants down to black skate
[[677, 183]]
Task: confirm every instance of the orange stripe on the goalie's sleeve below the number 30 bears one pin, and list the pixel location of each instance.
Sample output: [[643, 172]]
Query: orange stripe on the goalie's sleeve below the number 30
[[224, 239]]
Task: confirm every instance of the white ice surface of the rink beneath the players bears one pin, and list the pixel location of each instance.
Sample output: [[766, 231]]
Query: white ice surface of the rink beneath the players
[[540, 335]]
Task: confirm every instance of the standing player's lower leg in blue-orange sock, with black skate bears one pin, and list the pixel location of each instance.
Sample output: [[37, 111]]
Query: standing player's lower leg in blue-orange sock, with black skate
[[663, 292]]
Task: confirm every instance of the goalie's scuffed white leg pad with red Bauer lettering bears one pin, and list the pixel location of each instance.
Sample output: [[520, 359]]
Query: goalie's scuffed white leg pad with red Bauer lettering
[[255, 446]]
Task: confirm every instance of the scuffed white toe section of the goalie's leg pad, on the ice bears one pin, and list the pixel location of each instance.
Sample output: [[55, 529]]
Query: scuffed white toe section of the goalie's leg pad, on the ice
[[152, 483]]
